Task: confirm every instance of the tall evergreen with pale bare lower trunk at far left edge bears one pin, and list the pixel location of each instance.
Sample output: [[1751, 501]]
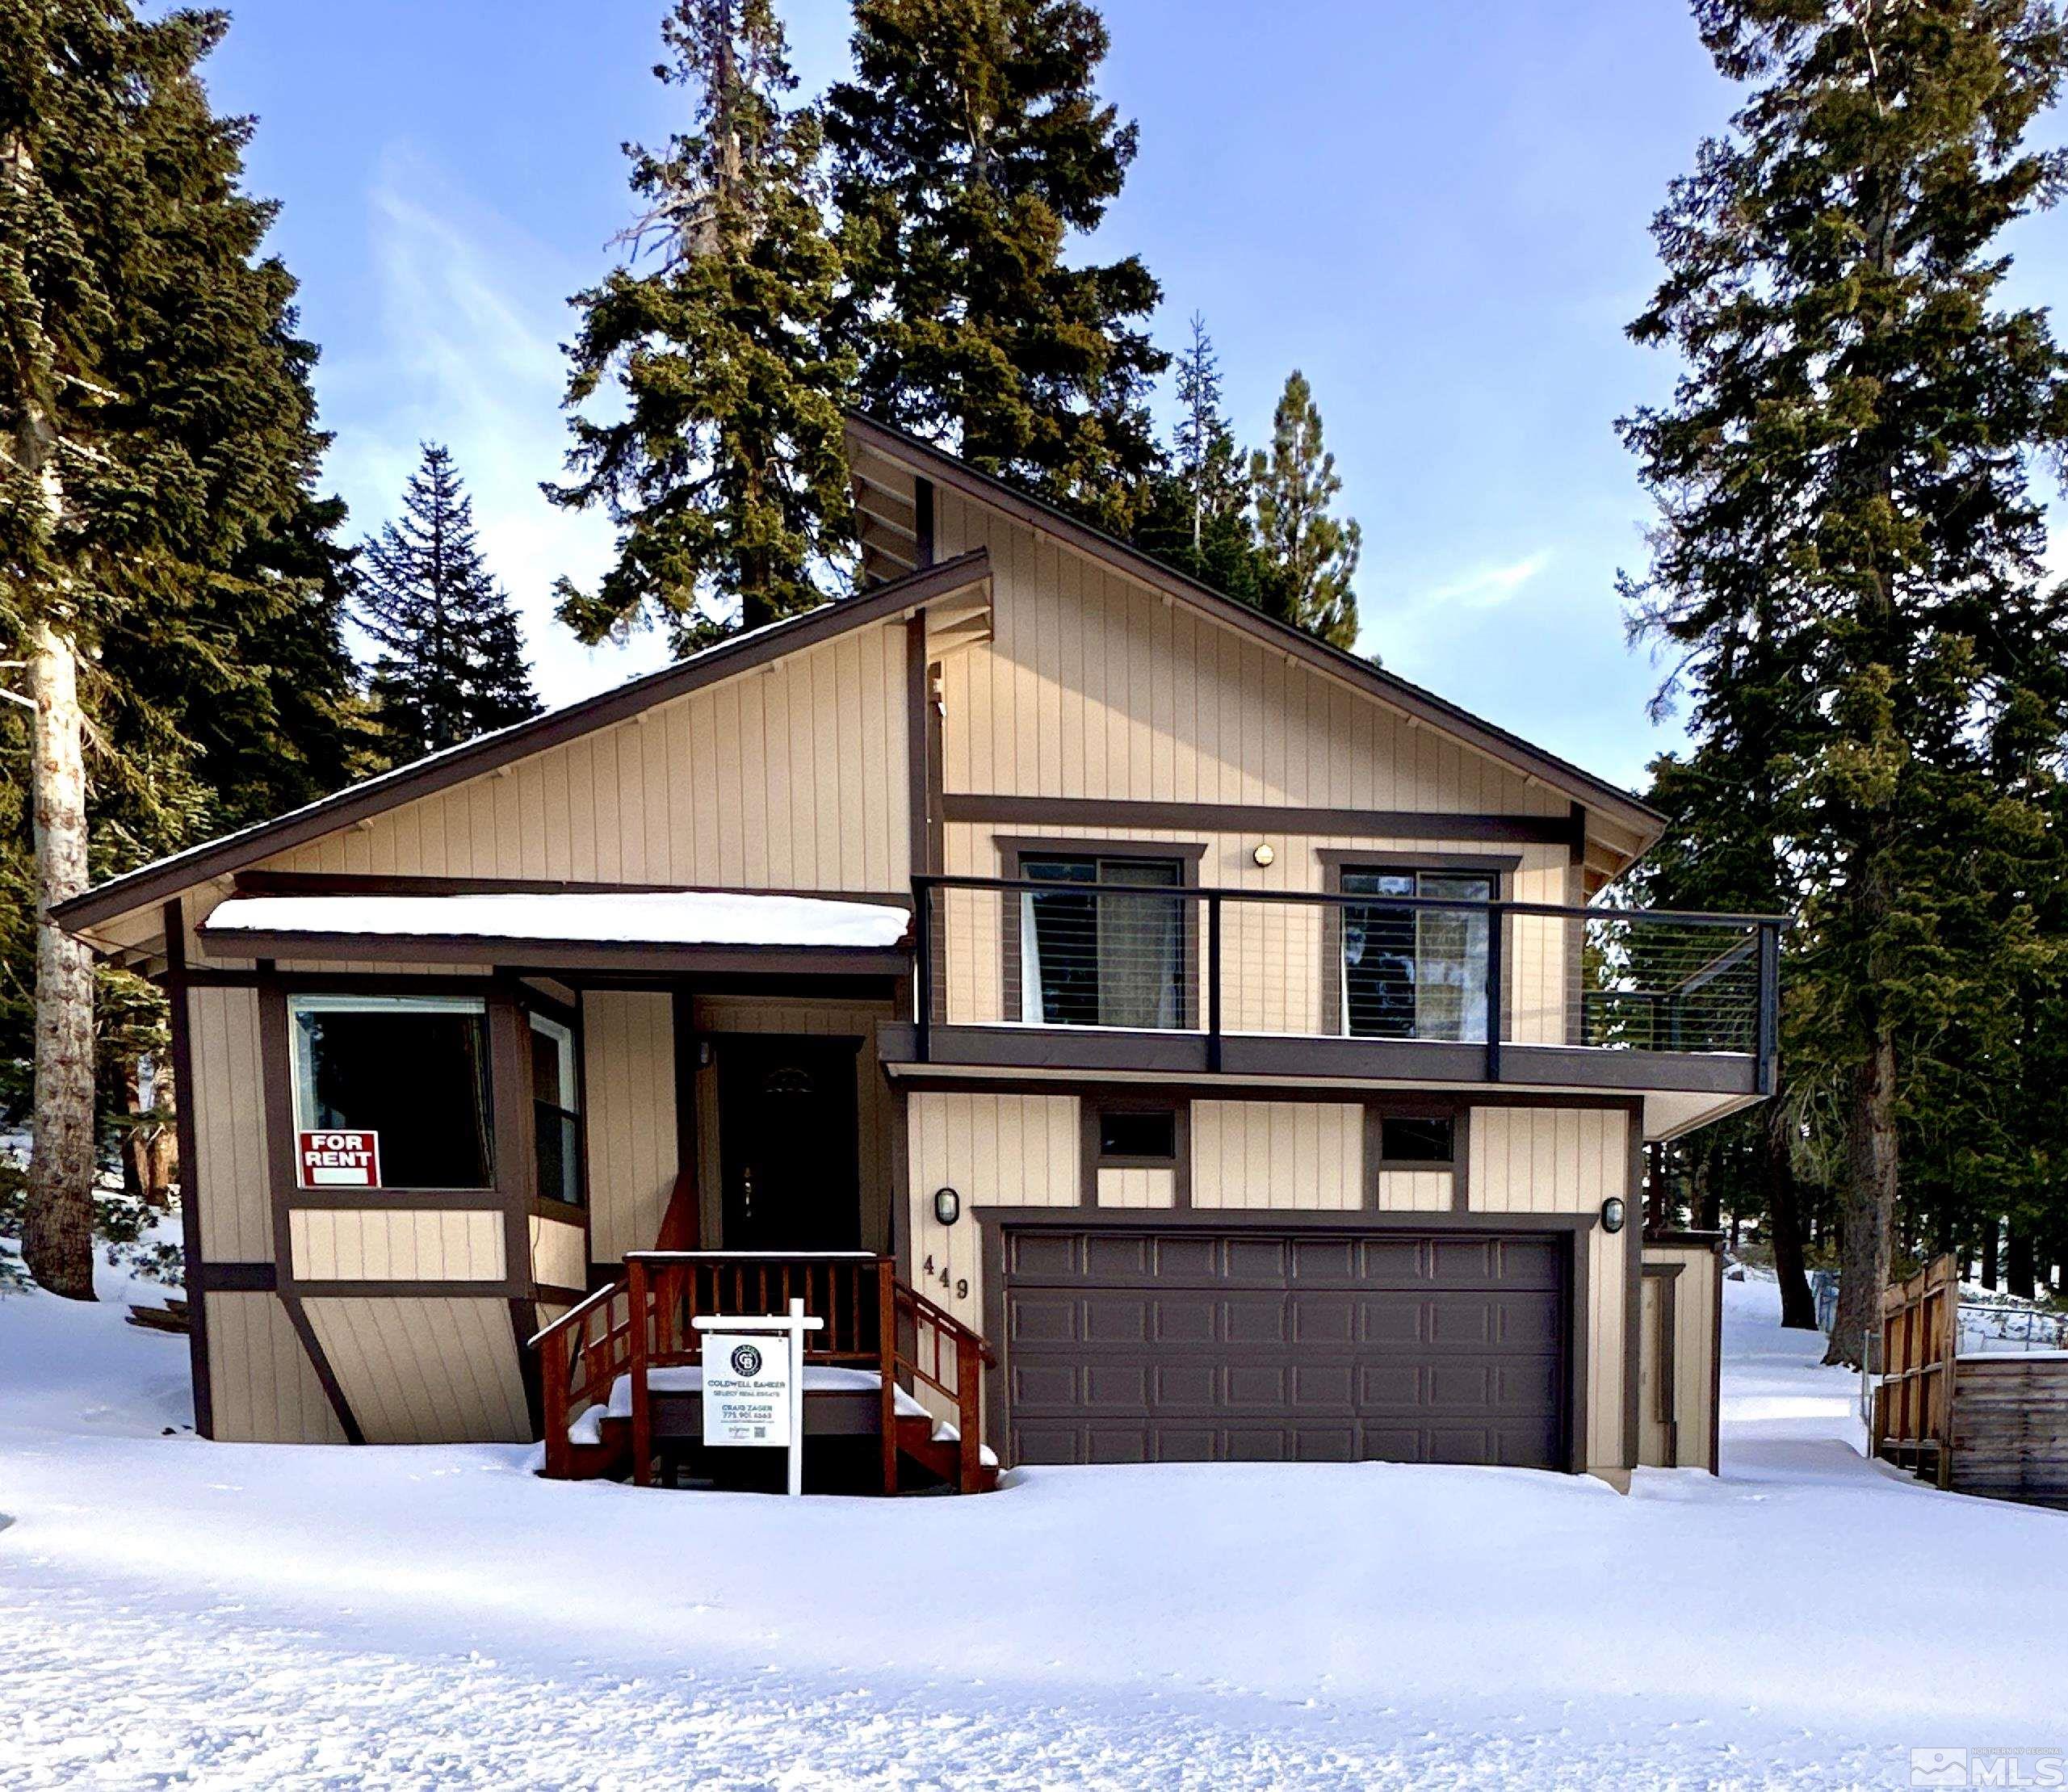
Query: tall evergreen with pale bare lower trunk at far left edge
[[156, 436]]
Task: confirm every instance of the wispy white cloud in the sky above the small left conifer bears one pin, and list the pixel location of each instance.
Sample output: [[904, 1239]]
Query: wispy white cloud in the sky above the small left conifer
[[468, 355]]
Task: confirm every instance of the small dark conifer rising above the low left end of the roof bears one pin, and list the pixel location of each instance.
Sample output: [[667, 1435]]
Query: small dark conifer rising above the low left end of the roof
[[452, 663]]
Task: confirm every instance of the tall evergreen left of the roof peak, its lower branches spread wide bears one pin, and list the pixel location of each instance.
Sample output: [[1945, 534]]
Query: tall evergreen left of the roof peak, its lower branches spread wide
[[727, 473]]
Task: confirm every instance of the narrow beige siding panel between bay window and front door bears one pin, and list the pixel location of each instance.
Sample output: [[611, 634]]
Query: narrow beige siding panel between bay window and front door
[[628, 1061]]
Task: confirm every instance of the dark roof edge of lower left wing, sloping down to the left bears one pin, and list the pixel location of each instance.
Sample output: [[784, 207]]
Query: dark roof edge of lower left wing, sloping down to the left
[[487, 752]]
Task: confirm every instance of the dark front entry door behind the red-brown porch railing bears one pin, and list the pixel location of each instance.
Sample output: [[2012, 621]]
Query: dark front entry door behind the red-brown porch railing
[[787, 1143]]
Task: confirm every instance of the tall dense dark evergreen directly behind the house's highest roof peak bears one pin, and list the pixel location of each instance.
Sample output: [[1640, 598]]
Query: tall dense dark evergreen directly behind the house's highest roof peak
[[969, 152]]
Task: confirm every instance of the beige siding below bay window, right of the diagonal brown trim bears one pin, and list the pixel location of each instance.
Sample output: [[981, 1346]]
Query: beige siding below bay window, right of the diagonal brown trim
[[425, 1371]]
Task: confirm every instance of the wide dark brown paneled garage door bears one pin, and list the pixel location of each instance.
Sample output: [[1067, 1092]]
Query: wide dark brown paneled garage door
[[1128, 1346]]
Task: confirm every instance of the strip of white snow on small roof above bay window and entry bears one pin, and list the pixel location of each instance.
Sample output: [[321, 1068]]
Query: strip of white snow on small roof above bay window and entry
[[642, 918]]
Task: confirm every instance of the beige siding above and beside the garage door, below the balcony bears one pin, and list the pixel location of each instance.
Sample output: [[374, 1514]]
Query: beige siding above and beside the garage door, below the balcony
[[1248, 1156]]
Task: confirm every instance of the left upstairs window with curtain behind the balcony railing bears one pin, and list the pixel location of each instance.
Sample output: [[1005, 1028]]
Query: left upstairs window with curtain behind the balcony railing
[[1109, 955]]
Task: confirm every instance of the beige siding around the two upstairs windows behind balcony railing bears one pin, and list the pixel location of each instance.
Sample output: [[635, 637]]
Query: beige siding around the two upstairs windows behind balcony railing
[[1277, 957]]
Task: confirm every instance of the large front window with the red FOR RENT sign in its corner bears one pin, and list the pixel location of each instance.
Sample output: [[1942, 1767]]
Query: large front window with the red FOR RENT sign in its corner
[[408, 1069]]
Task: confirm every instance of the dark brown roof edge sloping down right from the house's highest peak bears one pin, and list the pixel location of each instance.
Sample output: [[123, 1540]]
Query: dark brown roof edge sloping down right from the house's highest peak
[[946, 471]]
